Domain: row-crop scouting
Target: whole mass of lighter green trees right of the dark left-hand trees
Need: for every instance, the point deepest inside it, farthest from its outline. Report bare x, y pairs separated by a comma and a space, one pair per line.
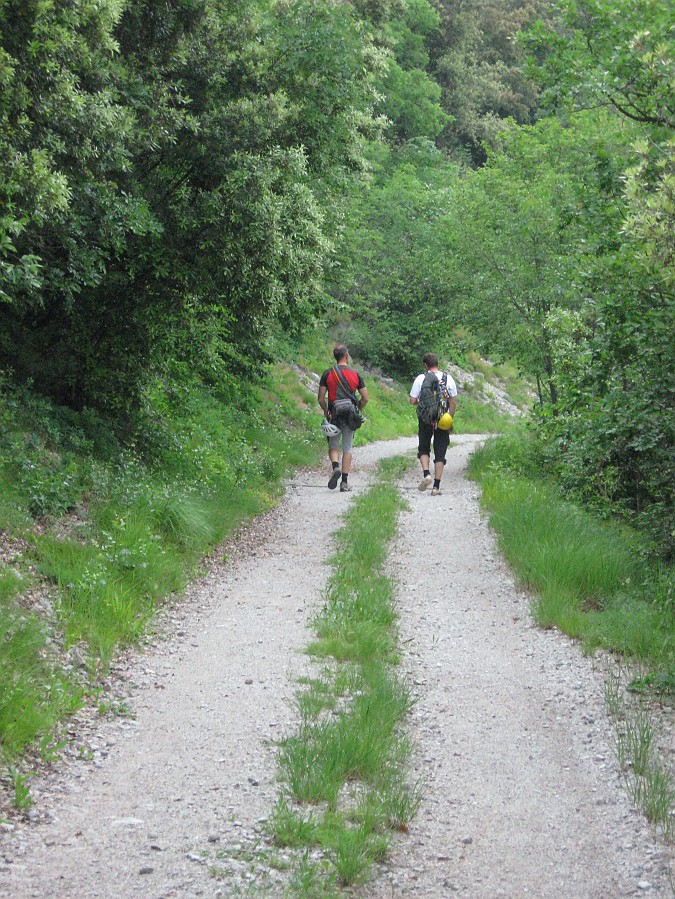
557, 252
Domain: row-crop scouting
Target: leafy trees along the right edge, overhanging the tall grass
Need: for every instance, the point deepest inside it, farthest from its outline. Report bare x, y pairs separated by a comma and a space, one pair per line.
616, 439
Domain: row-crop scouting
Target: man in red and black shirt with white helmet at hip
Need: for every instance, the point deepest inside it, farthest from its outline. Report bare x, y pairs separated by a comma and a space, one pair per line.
337, 397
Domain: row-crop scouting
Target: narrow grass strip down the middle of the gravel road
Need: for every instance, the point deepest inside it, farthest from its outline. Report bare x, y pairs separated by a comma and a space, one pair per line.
344, 773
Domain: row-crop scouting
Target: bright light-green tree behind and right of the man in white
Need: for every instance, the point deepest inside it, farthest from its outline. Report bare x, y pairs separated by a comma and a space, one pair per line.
516, 232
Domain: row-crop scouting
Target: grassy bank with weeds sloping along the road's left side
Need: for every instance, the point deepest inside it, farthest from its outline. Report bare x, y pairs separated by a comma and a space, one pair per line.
116, 529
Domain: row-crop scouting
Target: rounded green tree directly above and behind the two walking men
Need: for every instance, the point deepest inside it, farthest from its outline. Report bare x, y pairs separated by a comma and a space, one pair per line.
390, 271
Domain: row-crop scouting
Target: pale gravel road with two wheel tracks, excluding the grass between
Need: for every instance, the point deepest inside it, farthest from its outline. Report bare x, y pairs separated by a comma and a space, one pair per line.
522, 794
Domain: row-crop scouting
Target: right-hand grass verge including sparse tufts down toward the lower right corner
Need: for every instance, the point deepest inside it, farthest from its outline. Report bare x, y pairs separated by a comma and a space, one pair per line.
596, 581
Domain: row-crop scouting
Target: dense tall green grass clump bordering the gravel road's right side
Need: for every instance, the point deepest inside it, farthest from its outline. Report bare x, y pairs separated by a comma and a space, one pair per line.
591, 578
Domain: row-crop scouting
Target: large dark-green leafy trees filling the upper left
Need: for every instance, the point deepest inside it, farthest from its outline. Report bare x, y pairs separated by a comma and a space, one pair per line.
155, 180
